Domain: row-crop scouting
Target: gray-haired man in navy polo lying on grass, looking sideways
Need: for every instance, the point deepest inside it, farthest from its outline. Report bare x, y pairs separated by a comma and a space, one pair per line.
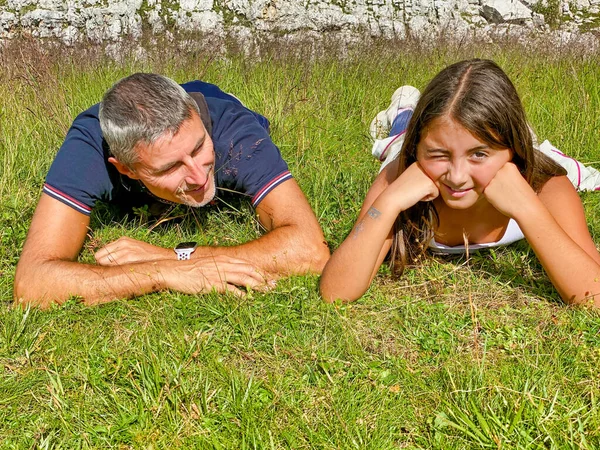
150, 139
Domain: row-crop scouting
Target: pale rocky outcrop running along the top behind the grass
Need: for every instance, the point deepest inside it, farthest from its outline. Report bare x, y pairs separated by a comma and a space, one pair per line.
102, 20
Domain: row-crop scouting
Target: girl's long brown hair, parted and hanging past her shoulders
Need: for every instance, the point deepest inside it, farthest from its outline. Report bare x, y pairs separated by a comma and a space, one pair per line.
478, 95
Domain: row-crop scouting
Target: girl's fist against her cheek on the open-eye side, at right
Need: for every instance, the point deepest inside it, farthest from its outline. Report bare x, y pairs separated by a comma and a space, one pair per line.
509, 192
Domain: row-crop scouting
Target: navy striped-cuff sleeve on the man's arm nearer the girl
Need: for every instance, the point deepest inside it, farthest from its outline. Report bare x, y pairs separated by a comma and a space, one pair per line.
247, 160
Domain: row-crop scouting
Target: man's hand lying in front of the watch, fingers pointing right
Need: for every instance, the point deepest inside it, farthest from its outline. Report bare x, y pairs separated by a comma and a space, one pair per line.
220, 273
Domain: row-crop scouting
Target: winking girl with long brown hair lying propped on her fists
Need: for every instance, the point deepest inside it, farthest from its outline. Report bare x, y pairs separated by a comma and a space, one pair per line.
467, 175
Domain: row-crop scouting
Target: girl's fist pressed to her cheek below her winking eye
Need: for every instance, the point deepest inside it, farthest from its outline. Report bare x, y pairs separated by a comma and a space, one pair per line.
411, 187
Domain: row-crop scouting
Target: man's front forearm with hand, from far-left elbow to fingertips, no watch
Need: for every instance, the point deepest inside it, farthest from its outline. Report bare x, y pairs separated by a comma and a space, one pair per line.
54, 281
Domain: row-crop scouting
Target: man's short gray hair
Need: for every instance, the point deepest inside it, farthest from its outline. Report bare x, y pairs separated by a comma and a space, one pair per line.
140, 109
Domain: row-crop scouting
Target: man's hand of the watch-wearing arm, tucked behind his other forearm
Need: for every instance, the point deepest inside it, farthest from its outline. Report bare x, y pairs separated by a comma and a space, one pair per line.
126, 250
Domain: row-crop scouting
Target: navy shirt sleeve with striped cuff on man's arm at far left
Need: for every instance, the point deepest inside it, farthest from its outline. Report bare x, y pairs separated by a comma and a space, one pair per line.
79, 175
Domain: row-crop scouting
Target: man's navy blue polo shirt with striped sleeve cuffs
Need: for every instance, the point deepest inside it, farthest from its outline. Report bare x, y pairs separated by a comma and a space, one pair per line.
246, 160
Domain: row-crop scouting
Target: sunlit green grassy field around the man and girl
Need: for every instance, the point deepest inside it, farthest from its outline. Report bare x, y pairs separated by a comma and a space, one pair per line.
477, 353
